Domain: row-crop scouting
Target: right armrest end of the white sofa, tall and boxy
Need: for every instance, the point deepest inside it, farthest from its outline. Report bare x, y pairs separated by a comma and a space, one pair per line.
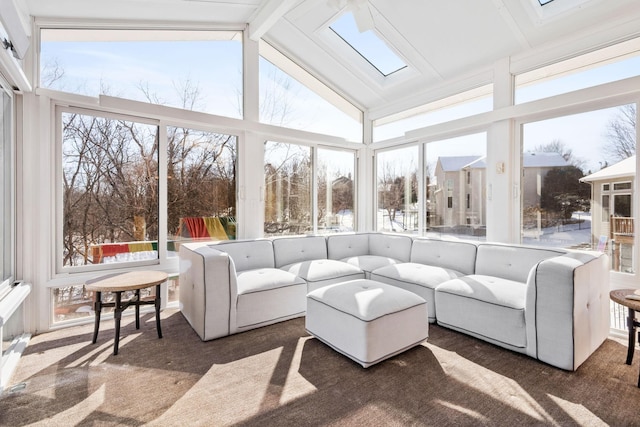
567, 308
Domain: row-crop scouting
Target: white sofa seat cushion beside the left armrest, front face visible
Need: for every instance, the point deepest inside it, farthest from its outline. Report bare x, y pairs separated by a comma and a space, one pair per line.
266, 295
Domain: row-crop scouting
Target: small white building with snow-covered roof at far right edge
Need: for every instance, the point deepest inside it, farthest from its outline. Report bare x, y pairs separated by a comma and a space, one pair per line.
611, 194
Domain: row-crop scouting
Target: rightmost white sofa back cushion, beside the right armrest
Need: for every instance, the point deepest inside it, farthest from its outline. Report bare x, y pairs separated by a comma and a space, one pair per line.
510, 261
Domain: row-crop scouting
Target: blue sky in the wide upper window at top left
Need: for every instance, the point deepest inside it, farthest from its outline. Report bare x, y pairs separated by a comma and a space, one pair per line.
164, 65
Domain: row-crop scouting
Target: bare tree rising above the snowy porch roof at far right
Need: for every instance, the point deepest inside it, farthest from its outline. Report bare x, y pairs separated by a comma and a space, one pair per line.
621, 135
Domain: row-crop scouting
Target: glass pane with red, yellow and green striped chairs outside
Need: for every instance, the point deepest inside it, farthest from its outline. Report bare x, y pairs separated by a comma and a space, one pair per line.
201, 186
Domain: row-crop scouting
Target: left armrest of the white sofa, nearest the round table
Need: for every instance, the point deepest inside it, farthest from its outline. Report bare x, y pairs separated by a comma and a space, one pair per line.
208, 290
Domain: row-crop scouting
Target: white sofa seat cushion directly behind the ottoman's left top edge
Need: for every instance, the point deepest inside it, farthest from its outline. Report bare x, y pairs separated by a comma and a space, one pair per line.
323, 272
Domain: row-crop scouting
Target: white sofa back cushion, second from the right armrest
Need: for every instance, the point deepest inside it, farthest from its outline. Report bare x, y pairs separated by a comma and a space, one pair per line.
458, 256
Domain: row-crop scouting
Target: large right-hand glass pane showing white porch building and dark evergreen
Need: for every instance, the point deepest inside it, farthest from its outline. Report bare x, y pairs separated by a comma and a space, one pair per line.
569, 159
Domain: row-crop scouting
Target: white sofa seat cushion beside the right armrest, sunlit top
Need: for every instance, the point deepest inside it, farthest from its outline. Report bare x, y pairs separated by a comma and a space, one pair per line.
489, 307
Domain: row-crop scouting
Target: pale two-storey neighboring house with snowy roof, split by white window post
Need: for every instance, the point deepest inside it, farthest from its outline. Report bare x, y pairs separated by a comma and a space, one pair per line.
460, 186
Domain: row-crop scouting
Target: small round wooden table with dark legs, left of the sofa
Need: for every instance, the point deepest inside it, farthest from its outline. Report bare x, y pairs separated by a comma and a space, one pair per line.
122, 282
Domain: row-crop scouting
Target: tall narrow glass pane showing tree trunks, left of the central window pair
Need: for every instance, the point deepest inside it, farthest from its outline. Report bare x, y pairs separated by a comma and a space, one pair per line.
287, 170
